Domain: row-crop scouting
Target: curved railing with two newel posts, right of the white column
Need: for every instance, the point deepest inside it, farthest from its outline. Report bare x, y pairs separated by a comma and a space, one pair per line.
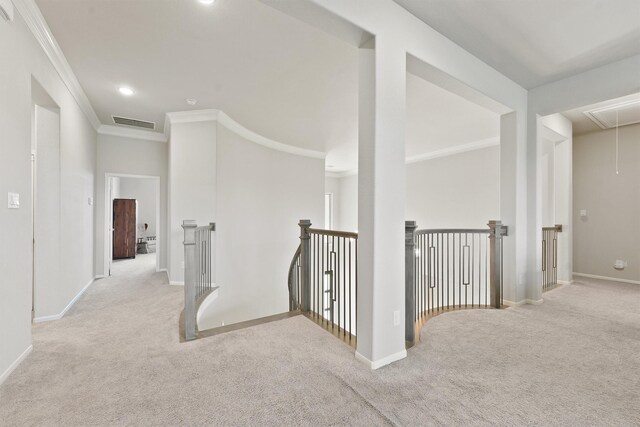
450, 269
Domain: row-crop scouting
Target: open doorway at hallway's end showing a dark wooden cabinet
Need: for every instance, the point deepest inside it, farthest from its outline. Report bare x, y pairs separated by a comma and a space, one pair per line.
132, 223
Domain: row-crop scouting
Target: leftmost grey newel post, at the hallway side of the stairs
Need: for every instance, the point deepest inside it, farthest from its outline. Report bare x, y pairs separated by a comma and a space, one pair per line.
190, 327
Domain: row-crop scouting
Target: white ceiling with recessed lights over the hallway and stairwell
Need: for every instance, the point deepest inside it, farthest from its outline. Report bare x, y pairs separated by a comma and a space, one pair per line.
274, 74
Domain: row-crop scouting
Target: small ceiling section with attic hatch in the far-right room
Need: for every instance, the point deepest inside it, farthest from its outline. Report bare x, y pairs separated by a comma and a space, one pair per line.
623, 111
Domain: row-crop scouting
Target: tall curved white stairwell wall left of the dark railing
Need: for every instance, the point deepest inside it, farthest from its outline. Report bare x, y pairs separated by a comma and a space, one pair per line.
261, 196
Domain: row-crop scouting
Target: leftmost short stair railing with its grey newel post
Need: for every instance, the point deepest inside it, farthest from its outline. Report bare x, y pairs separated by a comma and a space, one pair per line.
198, 277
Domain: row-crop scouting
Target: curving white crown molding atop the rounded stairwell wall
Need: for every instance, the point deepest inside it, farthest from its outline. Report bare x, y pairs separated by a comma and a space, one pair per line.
223, 119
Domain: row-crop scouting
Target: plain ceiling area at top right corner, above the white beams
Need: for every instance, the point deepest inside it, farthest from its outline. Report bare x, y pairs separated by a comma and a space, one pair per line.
534, 42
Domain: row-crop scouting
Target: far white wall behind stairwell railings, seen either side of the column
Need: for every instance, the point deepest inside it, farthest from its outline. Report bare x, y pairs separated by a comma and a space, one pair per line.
457, 191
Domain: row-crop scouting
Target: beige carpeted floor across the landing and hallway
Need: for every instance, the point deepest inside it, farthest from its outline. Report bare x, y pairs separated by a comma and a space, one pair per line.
115, 359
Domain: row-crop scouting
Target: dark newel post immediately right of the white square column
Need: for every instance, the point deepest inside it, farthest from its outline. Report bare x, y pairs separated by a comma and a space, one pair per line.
409, 282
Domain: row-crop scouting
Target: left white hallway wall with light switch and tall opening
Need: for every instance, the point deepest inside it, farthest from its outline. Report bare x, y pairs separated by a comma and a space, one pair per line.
22, 58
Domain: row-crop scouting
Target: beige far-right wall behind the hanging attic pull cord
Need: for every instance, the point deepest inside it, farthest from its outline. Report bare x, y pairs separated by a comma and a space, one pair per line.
611, 229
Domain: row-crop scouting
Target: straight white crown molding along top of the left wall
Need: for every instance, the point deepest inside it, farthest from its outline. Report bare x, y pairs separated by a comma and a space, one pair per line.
41, 31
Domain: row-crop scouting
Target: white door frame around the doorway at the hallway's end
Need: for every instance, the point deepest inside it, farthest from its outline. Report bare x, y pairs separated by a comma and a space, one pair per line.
108, 218
